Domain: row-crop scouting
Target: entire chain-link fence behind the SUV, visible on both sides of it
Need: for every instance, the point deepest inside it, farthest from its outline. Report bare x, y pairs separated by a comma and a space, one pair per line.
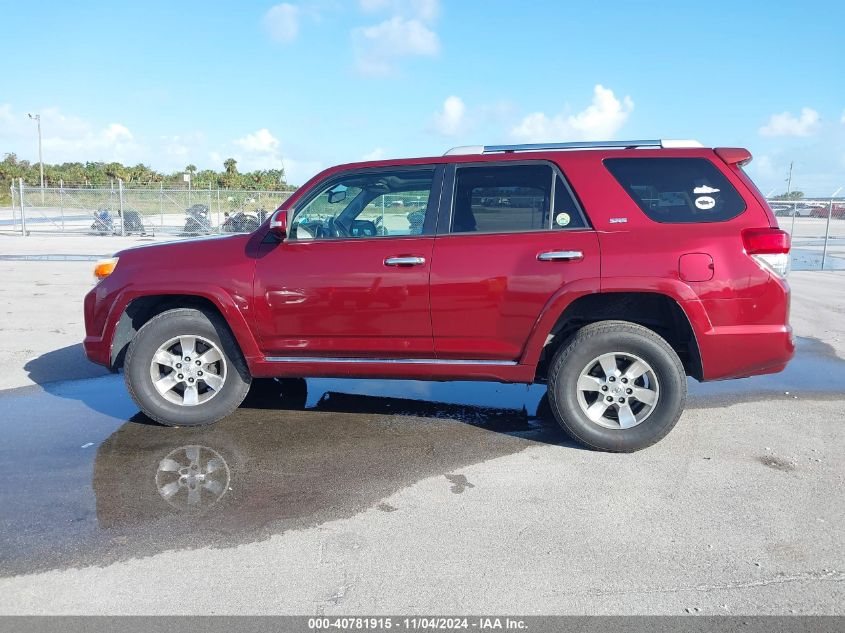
817, 225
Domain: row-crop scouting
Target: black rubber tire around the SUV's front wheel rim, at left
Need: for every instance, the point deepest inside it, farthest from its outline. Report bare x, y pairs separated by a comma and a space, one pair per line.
185, 322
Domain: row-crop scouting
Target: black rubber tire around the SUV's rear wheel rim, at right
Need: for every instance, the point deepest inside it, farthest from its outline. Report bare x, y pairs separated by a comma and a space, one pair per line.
622, 337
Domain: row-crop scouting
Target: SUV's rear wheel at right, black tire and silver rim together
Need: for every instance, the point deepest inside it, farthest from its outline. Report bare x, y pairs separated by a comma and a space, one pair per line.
617, 386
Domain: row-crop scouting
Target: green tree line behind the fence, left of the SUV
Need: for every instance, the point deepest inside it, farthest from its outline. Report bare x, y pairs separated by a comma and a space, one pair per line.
99, 174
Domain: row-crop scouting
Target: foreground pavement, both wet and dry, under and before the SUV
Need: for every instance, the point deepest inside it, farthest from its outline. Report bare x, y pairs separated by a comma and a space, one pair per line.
403, 497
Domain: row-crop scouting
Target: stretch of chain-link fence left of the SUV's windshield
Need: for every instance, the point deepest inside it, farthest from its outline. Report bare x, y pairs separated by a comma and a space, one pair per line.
118, 210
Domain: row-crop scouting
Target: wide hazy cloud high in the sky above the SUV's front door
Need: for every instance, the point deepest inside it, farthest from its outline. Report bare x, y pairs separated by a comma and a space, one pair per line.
378, 47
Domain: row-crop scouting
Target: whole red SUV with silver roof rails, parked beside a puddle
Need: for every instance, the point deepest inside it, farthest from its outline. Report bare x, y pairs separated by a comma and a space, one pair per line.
609, 270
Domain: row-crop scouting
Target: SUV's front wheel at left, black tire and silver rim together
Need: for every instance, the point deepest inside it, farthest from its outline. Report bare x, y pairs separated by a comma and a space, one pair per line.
184, 368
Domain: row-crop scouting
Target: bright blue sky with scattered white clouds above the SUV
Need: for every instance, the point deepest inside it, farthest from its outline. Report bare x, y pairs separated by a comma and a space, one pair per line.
306, 84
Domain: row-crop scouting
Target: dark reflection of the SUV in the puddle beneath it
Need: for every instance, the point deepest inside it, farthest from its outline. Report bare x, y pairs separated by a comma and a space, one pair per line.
274, 466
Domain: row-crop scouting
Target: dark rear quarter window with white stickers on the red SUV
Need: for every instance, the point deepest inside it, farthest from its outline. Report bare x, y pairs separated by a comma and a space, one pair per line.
677, 190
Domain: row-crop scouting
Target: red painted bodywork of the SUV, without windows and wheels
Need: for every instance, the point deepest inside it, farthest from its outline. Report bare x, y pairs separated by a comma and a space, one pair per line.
479, 297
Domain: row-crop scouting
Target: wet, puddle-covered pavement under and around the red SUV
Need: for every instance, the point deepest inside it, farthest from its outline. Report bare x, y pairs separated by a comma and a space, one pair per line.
88, 481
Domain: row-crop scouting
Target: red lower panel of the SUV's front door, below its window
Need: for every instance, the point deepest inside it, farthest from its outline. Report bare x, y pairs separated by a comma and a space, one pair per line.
337, 298
